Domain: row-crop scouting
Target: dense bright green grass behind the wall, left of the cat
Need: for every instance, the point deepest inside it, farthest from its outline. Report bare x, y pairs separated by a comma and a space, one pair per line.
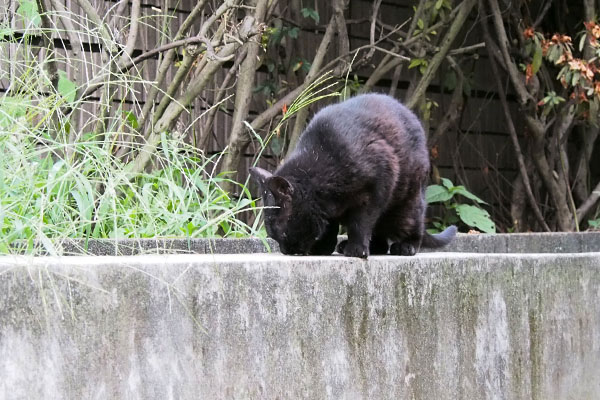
44, 195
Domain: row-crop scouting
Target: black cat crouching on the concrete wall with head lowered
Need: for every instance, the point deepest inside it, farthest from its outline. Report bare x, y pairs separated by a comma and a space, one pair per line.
362, 163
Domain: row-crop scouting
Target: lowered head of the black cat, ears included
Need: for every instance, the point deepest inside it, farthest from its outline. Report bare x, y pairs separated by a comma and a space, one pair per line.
290, 219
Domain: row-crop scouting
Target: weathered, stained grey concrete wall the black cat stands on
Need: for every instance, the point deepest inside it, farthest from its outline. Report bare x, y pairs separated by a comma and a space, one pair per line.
257, 326
